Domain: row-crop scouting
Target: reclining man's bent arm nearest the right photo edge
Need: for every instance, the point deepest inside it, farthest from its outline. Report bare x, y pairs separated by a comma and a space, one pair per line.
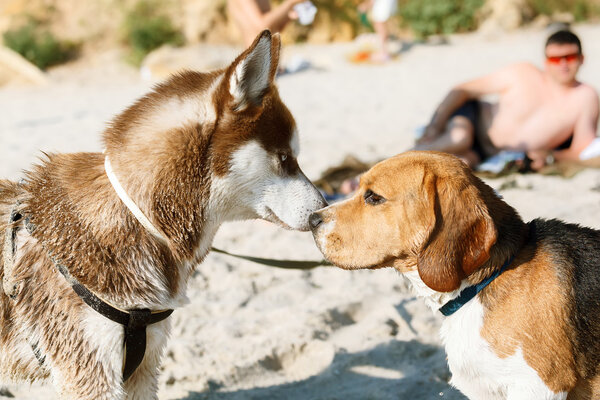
585, 127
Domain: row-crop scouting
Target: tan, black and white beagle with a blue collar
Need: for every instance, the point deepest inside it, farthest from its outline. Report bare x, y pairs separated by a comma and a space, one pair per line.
521, 300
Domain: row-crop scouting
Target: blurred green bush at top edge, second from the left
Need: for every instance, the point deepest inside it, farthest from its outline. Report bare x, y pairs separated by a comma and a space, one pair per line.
146, 29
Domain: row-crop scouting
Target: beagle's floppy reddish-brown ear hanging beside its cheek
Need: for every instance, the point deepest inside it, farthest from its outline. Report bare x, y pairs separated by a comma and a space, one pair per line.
460, 238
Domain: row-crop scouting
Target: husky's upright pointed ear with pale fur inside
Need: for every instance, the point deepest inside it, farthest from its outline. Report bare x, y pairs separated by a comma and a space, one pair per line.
253, 72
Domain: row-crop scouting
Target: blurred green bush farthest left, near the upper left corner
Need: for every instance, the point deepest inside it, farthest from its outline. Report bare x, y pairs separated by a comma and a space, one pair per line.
38, 45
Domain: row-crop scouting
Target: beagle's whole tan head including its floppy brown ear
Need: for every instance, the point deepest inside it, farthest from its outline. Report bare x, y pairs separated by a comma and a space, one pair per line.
421, 210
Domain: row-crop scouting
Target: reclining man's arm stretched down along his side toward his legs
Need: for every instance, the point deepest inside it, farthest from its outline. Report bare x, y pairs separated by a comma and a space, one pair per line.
494, 83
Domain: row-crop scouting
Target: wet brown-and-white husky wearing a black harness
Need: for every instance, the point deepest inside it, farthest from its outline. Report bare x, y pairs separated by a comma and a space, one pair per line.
131, 224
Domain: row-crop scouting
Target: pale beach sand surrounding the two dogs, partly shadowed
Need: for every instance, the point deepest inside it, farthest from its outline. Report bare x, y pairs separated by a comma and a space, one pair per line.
253, 332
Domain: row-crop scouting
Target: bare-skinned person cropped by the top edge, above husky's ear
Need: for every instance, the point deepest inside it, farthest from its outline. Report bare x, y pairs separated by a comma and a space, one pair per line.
253, 16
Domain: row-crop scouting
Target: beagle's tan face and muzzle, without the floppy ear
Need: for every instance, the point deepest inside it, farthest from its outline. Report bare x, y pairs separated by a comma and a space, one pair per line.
385, 220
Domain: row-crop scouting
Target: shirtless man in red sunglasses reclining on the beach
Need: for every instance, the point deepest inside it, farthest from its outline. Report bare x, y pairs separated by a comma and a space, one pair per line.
548, 114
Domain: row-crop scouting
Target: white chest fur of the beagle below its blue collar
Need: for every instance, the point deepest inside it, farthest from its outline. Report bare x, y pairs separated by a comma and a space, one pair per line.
478, 372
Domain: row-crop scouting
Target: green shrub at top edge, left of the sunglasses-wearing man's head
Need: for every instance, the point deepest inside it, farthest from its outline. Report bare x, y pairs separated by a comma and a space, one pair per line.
431, 17
